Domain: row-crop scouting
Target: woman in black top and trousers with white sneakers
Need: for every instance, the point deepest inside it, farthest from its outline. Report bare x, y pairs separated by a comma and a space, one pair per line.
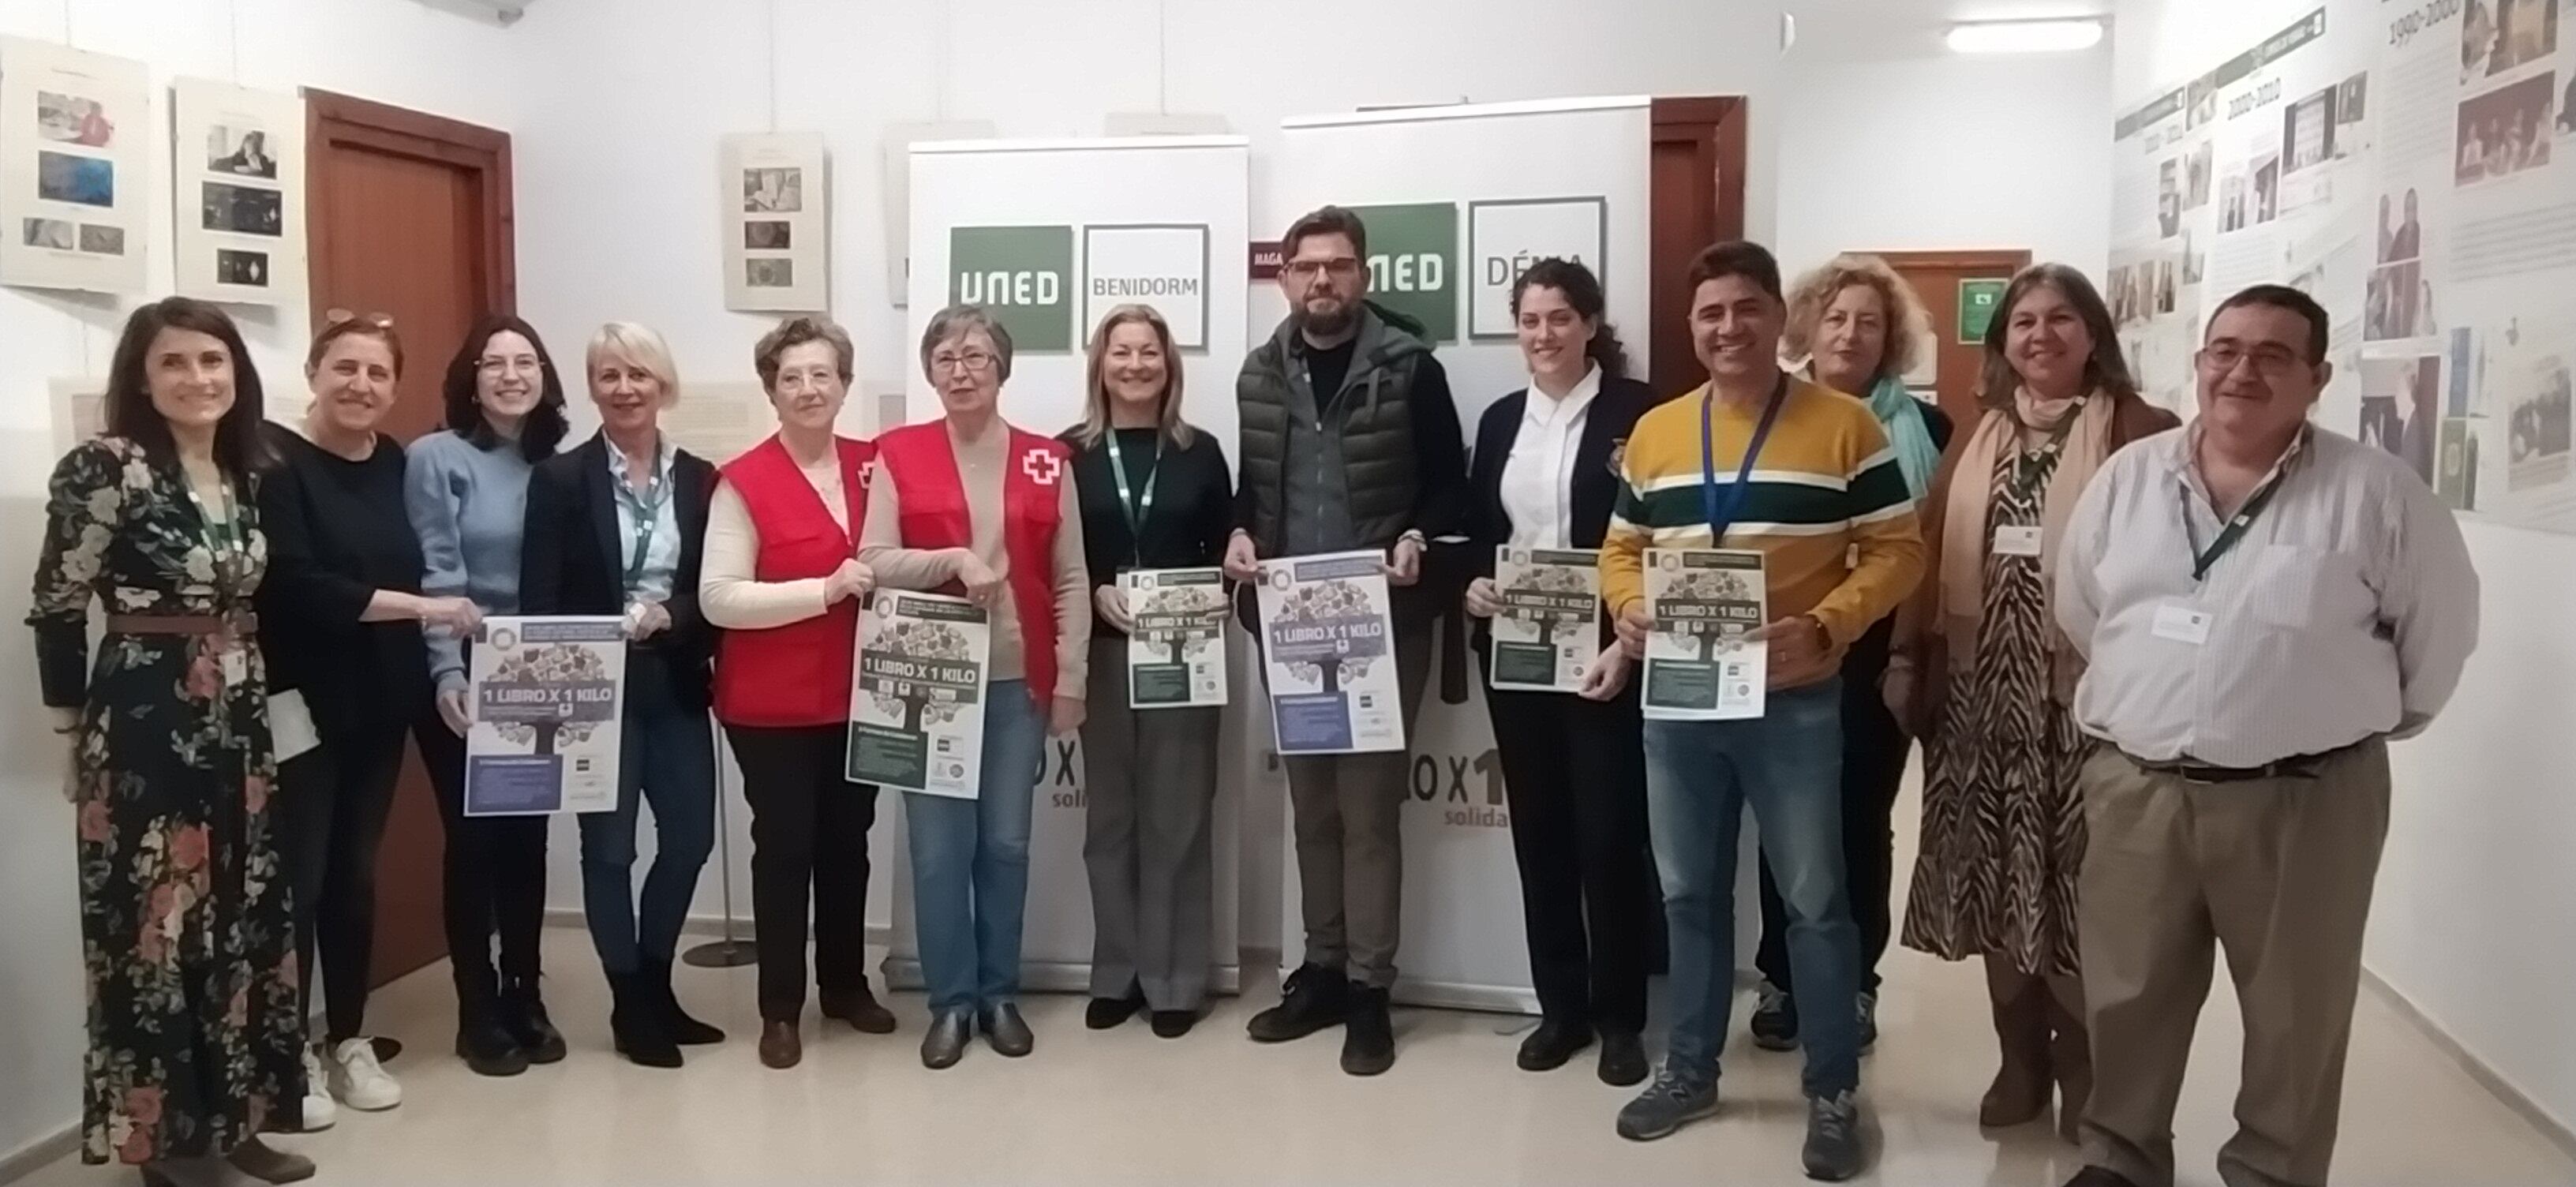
341, 617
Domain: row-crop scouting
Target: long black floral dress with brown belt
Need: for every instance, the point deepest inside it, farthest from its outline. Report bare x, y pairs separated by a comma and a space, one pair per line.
184, 910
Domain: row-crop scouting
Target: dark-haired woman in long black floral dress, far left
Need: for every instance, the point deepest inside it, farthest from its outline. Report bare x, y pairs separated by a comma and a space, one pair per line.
184, 915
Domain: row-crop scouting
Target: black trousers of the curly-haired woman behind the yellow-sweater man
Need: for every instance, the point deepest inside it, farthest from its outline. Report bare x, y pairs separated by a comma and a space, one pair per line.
1874, 769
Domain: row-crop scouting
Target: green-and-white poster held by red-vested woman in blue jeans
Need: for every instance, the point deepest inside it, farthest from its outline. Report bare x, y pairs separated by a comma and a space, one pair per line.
918, 694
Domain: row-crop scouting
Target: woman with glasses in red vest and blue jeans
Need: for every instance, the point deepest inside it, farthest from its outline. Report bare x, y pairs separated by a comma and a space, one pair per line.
980, 509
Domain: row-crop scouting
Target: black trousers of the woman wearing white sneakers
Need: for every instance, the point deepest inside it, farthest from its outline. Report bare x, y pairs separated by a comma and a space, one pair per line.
334, 805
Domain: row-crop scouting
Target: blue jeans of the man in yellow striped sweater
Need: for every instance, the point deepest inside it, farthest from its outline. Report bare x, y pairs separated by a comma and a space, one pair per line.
1699, 781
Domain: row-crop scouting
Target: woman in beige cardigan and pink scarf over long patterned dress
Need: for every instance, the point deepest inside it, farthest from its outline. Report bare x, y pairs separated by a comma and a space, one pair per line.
1987, 681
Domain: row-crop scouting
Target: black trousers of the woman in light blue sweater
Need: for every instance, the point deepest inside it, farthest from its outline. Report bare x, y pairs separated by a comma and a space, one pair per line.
496, 877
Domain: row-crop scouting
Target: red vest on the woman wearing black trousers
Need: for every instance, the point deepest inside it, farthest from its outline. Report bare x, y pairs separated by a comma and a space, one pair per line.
800, 673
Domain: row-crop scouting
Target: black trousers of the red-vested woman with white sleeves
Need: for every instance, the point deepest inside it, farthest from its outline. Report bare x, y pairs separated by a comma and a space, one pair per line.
810, 836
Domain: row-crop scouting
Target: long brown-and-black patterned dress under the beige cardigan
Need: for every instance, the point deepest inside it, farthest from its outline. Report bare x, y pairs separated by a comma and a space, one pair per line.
2003, 825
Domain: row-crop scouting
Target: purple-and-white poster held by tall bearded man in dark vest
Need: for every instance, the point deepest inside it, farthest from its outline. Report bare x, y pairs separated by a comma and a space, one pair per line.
1328, 648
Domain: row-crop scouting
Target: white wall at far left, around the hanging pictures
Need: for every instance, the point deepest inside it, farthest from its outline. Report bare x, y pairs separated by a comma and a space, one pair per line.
398, 53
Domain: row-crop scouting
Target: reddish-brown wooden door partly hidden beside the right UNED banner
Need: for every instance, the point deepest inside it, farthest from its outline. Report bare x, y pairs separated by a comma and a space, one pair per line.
1696, 197
